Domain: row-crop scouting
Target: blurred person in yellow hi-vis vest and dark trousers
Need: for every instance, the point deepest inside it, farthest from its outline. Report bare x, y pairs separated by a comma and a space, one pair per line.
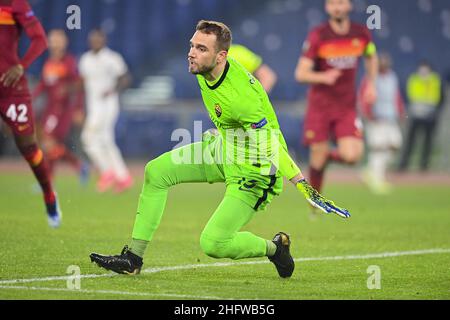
425, 101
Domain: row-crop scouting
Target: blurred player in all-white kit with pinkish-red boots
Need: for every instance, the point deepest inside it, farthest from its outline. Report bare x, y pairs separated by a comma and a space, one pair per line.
105, 74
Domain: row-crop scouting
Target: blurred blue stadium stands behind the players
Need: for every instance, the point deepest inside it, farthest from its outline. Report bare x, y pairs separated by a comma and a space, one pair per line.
153, 37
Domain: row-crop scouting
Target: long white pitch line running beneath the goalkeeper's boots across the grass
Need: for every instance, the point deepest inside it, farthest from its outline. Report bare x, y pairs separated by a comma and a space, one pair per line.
232, 264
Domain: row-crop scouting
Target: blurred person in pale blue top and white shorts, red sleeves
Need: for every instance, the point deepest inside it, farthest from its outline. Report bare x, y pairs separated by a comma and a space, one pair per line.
383, 132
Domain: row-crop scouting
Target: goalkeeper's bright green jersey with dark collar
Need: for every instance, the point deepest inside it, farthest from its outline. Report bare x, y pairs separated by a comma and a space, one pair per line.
242, 112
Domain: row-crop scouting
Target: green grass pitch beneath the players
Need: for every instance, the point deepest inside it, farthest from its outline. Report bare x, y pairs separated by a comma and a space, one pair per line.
412, 218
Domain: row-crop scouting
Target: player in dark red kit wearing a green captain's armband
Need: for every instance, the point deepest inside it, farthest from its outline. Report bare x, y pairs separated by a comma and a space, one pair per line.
329, 63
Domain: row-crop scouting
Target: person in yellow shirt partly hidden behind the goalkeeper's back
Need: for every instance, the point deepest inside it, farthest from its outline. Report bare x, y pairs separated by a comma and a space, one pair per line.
254, 64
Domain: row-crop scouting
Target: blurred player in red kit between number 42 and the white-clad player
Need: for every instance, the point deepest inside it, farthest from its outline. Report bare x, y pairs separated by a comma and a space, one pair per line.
62, 86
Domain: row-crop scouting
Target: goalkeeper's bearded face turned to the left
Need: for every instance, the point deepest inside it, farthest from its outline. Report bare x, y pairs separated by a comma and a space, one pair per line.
203, 55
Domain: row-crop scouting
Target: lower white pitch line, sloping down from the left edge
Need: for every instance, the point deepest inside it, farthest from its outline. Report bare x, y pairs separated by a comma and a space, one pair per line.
123, 293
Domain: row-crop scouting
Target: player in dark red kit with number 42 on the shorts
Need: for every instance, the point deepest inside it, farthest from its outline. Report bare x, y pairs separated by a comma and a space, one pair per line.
15, 100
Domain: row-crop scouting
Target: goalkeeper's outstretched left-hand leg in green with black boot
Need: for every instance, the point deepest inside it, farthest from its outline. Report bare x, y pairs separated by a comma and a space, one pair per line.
175, 167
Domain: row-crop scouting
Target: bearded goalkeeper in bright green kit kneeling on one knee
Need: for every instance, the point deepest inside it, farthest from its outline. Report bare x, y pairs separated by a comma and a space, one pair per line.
247, 152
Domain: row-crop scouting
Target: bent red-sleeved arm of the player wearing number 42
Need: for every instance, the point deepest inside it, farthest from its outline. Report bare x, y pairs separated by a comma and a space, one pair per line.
25, 18
